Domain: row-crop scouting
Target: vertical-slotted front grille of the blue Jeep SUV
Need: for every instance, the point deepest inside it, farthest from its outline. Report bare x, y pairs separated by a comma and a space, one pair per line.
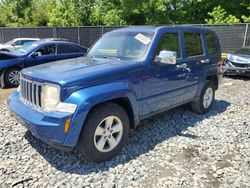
31, 92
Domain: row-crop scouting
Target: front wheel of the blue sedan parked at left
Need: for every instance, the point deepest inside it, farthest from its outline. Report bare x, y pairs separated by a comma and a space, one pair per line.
12, 77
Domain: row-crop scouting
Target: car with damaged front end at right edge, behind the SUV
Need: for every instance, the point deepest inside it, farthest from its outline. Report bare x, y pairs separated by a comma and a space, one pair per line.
238, 62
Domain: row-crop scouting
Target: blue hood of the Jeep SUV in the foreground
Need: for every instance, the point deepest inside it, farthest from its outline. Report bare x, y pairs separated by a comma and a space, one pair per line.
80, 72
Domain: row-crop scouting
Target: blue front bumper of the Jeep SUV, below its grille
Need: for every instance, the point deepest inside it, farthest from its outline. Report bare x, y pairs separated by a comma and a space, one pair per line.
48, 127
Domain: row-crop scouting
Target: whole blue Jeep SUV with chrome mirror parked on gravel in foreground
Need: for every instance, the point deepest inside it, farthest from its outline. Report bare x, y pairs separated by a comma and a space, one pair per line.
128, 75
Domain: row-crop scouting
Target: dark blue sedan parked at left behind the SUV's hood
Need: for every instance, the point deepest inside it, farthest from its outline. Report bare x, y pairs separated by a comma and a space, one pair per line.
32, 54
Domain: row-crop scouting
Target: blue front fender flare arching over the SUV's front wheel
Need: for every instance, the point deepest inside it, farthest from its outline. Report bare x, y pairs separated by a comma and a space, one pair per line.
89, 97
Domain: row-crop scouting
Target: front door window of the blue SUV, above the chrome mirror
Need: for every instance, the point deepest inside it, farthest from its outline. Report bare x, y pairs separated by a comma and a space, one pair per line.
169, 42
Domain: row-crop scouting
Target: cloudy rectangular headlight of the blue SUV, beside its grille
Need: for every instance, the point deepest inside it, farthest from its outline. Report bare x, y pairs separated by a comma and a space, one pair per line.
50, 97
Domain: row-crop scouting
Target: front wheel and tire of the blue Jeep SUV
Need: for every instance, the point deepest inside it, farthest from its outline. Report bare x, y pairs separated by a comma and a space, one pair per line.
104, 133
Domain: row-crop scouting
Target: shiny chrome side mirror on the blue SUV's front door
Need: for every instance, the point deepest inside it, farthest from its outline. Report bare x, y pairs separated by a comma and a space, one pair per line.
166, 57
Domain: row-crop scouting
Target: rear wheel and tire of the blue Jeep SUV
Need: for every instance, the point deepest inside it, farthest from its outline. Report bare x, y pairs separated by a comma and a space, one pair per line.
201, 106
